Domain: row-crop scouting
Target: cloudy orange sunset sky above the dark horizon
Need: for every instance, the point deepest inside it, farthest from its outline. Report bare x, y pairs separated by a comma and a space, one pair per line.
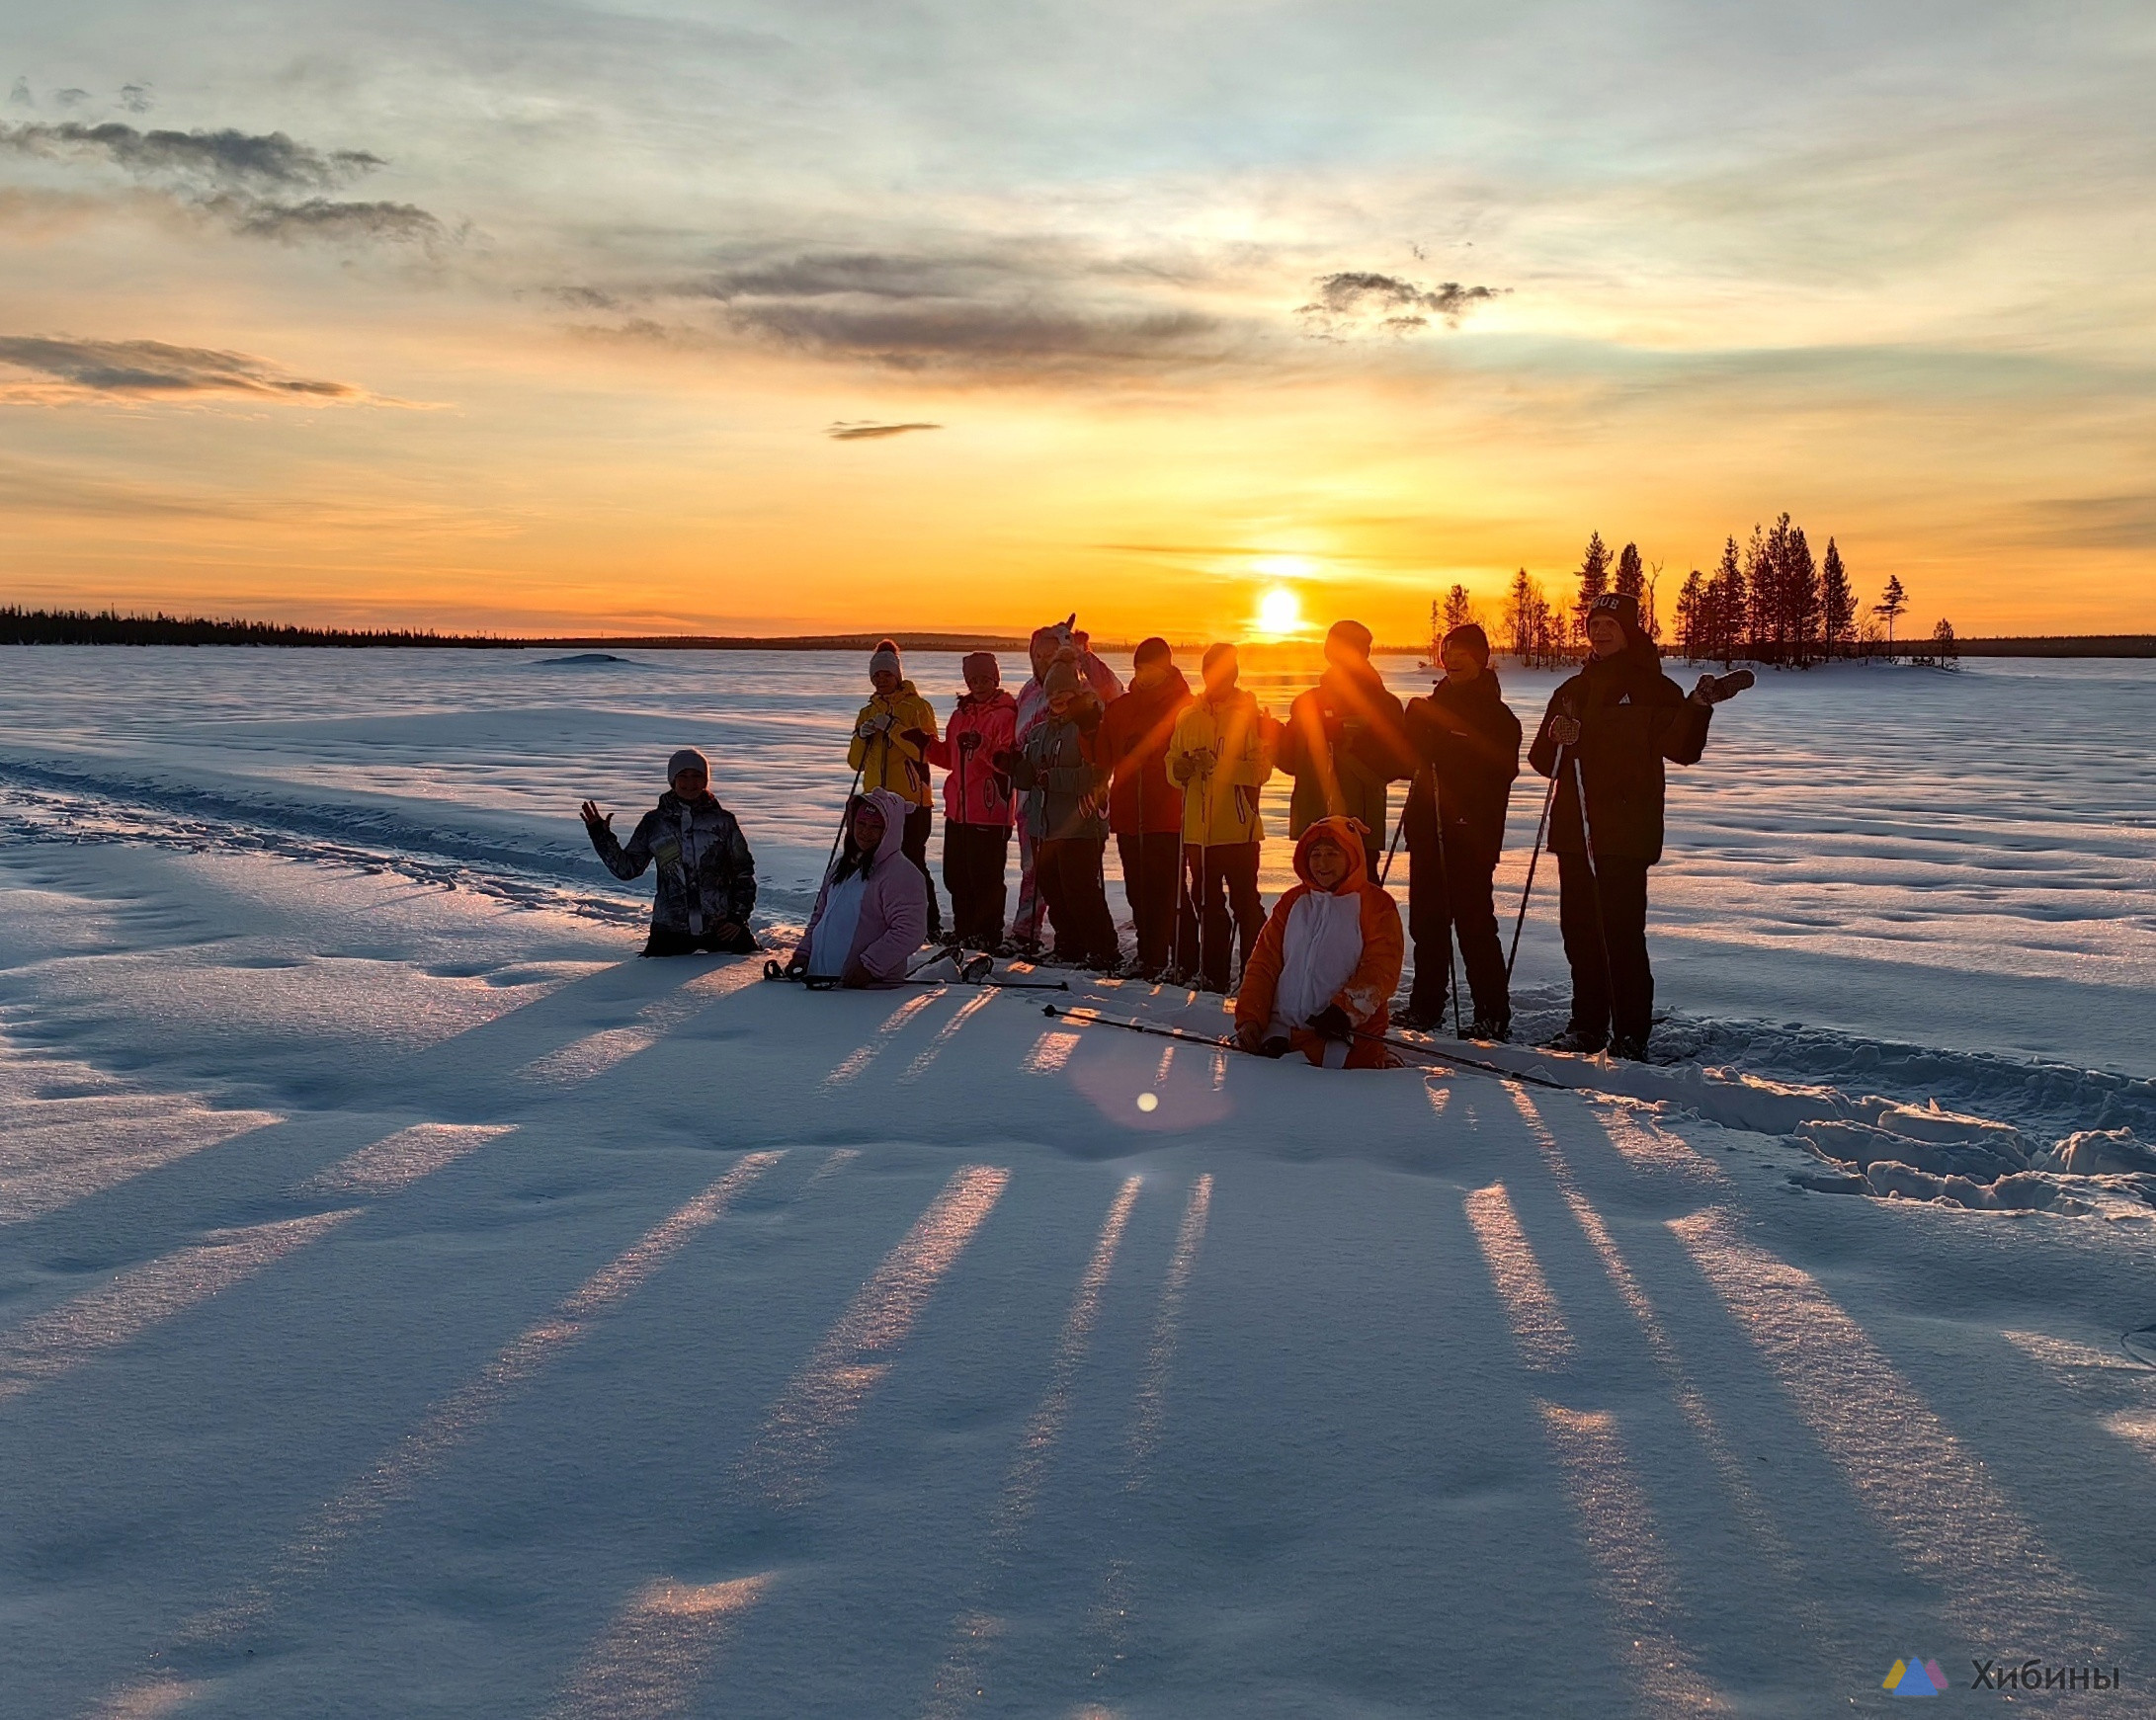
971, 314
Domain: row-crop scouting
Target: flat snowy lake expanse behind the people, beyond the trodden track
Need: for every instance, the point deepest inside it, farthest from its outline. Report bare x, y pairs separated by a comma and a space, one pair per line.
1961, 861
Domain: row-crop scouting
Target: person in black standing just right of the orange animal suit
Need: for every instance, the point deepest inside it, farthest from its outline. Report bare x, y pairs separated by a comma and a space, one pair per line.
1469, 745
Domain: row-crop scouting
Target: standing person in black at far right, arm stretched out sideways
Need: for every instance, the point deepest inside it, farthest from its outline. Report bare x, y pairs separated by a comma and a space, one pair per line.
1614, 725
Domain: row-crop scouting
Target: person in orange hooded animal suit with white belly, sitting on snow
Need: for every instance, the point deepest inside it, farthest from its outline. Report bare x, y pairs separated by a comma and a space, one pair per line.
1327, 962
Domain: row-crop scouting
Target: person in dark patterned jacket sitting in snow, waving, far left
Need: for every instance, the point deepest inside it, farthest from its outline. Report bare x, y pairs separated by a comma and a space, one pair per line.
708, 878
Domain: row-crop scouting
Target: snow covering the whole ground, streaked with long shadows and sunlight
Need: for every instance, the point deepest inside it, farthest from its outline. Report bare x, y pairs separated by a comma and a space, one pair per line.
415, 1307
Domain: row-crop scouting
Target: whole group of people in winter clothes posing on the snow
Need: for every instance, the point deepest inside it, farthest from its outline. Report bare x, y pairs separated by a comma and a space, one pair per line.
1176, 777
